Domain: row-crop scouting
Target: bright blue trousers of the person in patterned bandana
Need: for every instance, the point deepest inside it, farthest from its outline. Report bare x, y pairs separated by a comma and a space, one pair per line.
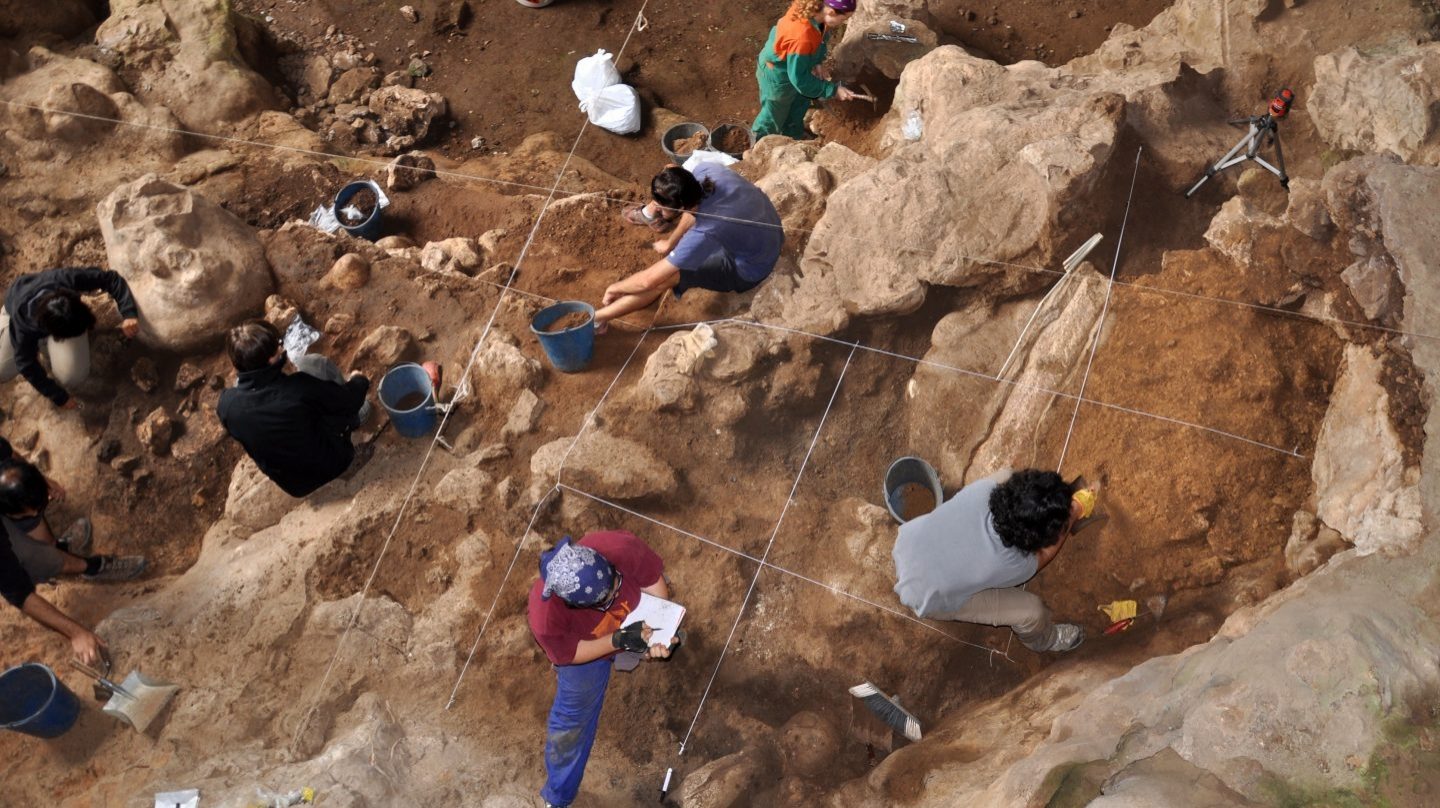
575, 715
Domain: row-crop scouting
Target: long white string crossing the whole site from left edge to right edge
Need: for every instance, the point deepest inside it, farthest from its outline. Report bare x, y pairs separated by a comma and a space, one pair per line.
836, 234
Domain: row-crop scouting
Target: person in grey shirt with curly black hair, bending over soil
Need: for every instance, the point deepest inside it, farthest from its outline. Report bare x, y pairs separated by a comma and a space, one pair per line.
967, 560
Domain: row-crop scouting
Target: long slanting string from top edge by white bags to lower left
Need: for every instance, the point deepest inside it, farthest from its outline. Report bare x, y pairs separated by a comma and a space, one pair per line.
430, 452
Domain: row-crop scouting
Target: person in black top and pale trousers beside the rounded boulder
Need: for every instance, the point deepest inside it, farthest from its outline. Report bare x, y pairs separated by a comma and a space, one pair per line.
45, 313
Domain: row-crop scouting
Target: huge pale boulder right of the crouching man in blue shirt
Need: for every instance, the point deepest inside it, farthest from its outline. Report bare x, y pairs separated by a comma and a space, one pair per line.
1004, 158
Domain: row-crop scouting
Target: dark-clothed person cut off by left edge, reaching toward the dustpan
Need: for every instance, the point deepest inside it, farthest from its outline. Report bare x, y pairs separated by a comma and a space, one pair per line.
31, 554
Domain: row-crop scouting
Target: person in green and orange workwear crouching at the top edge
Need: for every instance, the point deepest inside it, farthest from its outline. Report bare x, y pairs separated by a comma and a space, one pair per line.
790, 70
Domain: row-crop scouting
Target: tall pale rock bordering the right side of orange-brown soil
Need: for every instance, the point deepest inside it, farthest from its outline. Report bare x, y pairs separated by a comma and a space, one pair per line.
1363, 486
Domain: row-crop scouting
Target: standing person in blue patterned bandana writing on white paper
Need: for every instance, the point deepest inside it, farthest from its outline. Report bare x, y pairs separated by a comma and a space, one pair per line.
585, 591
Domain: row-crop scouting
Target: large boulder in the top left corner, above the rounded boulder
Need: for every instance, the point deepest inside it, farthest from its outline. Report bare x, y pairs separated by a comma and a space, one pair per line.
191, 54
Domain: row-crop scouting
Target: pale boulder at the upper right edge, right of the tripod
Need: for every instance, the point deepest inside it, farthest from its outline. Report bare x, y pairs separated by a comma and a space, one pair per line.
1380, 100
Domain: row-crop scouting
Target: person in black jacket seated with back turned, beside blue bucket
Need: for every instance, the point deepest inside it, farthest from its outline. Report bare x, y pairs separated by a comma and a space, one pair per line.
296, 427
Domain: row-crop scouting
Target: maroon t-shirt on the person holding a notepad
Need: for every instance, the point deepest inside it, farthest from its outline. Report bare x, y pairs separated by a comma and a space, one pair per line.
561, 629
